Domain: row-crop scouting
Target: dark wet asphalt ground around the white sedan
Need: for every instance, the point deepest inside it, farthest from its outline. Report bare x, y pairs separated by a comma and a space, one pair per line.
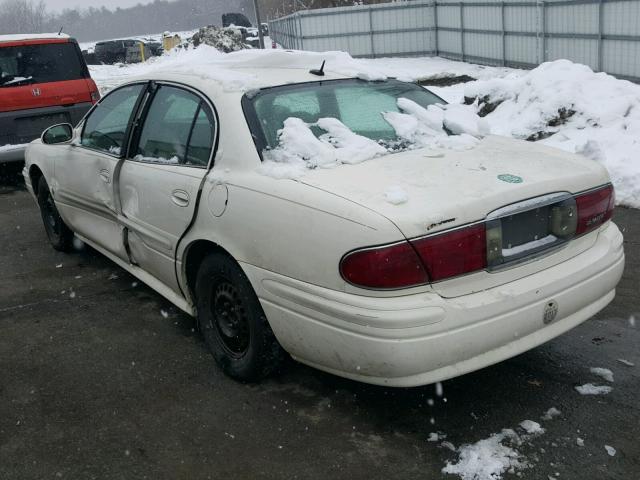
98, 384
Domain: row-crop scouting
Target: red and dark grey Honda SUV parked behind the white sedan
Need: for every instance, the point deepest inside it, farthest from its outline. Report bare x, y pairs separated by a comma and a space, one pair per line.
43, 81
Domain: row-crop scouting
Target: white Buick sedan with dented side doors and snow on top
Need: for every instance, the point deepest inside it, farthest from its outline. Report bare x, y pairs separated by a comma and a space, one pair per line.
364, 227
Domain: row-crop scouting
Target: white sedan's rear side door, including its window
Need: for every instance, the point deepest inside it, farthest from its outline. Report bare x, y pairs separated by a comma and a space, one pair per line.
160, 181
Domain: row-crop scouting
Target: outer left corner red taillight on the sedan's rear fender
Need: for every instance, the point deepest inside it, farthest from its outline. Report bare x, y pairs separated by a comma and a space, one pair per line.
395, 266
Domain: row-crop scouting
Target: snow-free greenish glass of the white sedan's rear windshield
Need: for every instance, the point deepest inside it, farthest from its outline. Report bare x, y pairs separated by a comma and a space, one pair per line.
360, 105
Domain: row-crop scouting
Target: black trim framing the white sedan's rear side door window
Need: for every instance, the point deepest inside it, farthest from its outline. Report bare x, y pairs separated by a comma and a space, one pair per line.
203, 98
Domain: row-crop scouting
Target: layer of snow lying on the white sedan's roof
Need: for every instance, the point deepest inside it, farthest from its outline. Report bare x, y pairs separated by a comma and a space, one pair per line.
251, 69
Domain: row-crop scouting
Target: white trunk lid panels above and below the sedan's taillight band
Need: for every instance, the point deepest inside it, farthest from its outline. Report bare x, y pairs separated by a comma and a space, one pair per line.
447, 189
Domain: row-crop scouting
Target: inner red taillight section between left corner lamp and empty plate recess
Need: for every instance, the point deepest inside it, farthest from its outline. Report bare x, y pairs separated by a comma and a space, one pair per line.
454, 253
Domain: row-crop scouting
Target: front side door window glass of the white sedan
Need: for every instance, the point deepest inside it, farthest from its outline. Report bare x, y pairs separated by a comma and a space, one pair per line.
106, 127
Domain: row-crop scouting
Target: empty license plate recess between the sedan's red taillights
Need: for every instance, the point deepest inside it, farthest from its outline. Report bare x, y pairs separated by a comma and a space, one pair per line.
526, 230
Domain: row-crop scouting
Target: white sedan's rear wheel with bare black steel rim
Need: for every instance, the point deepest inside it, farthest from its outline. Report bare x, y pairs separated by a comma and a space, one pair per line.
232, 321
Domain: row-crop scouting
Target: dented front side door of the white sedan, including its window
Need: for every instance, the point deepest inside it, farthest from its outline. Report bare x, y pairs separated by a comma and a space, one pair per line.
86, 171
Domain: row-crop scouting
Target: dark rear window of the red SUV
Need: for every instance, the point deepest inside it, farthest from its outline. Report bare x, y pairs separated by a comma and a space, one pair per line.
27, 64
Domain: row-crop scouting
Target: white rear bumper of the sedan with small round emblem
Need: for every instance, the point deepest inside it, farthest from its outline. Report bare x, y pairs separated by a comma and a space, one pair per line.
424, 338
